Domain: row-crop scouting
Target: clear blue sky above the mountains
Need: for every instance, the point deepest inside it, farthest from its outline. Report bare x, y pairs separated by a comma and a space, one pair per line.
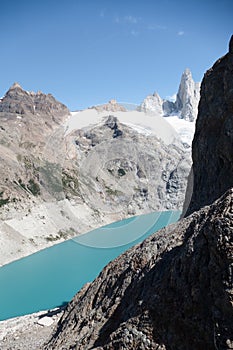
86, 52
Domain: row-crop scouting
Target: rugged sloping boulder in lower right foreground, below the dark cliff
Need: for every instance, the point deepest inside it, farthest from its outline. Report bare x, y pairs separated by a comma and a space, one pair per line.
174, 291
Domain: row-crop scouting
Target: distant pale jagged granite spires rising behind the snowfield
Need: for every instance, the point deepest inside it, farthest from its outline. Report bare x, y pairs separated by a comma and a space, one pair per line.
186, 103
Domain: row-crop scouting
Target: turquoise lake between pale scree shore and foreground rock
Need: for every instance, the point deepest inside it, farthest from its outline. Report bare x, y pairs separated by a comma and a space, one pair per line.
51, 277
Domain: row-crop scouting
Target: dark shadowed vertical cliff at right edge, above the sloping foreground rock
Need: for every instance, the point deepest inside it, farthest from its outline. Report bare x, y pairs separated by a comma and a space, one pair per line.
212, 148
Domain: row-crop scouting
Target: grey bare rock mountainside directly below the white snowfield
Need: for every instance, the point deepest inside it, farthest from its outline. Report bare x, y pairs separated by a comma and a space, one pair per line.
123, 171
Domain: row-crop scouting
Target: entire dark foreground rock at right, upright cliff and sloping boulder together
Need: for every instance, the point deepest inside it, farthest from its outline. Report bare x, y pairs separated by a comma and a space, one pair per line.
173, 291
